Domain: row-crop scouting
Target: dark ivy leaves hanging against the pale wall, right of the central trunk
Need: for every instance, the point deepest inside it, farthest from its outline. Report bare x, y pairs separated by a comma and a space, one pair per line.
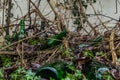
76, 11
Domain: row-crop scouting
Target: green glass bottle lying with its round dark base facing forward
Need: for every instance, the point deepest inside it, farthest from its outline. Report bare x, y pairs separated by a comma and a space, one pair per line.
55, 70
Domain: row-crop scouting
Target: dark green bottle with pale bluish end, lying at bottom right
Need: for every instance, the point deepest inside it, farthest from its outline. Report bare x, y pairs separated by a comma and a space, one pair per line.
95, 70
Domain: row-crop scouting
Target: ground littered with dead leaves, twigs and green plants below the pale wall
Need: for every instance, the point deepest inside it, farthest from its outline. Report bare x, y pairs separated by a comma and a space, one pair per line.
93, 57
